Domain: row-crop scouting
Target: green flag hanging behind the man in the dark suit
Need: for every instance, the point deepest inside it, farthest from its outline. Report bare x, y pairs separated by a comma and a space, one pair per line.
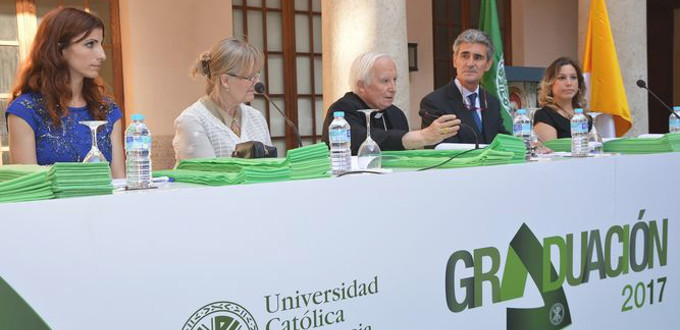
494, 80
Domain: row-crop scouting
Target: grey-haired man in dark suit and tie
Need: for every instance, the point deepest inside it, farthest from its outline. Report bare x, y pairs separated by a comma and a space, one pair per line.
478, 110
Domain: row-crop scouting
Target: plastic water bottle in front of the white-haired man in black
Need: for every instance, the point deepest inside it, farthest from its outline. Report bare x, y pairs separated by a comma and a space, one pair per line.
339, 135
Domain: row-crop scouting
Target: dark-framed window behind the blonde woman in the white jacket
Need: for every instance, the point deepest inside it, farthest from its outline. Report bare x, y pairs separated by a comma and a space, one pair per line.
289, 33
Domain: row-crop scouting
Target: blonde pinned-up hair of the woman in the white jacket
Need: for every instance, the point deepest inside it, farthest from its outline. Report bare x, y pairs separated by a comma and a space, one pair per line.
234, 56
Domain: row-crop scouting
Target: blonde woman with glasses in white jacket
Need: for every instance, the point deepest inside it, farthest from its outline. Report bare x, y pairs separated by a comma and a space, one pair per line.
219, 120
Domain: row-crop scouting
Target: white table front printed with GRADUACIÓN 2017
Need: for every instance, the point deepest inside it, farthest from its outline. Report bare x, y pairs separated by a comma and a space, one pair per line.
441, 249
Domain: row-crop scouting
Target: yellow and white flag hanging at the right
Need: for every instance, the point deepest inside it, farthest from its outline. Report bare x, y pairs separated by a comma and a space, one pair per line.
603, 75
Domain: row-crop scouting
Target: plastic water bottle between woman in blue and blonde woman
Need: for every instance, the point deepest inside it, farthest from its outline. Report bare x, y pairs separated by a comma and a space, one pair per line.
138, 154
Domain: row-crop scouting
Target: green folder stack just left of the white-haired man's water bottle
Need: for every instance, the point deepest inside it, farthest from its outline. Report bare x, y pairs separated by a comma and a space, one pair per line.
310, 162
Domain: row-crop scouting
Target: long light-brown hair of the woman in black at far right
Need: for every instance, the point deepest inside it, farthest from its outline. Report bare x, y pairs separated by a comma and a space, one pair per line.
545, 97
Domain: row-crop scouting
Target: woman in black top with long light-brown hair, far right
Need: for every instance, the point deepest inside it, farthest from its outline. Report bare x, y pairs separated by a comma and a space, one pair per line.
562, 90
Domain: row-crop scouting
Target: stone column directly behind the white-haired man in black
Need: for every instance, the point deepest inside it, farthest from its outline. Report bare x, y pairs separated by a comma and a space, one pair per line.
352, 27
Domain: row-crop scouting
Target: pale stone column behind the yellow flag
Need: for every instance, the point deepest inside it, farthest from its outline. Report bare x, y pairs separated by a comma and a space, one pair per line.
628, 19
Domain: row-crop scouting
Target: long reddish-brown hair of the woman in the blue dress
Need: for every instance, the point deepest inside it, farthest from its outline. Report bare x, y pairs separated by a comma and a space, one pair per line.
46, 72
